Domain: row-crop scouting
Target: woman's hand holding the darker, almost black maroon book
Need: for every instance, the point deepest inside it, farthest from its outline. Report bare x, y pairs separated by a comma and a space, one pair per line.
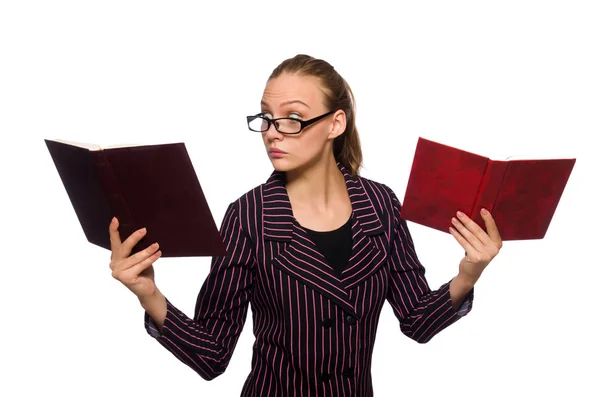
135, 271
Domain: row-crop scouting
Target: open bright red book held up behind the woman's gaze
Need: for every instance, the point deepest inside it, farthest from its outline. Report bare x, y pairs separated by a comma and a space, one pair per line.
522, 195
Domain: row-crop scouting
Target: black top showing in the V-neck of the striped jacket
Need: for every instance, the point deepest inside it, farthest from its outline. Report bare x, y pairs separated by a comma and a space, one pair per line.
335, 245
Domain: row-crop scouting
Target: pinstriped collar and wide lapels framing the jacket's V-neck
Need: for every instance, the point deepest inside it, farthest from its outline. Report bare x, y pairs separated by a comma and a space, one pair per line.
300, 257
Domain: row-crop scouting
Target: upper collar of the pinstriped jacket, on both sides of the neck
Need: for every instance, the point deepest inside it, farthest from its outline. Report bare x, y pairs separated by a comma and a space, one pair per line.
277, 210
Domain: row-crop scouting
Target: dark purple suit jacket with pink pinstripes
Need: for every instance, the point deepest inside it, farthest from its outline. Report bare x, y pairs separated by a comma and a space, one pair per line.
314, 331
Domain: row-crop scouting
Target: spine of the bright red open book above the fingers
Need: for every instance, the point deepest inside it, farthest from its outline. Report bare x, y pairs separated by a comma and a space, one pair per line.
488, 190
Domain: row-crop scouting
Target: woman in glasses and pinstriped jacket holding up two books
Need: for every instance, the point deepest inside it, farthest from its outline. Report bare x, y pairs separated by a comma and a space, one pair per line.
316, 250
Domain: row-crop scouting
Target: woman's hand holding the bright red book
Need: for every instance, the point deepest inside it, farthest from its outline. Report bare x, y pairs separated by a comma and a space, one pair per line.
480, 247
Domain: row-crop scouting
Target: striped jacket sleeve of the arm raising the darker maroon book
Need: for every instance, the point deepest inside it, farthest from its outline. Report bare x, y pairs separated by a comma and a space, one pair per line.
206, 343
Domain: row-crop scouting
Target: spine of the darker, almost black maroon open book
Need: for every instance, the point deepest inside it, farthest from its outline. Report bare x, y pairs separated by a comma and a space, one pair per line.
118, 205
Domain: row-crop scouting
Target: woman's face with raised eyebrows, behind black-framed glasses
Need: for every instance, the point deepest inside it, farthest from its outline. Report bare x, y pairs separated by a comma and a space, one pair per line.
299, 97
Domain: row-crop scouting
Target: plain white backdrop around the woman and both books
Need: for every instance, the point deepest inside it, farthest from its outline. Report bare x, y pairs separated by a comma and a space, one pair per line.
496, 78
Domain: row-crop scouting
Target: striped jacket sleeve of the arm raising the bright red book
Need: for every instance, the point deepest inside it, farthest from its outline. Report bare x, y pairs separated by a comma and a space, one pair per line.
422, 312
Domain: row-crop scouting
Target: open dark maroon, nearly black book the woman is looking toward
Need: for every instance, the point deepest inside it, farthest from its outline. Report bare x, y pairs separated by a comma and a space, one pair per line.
152, 186
